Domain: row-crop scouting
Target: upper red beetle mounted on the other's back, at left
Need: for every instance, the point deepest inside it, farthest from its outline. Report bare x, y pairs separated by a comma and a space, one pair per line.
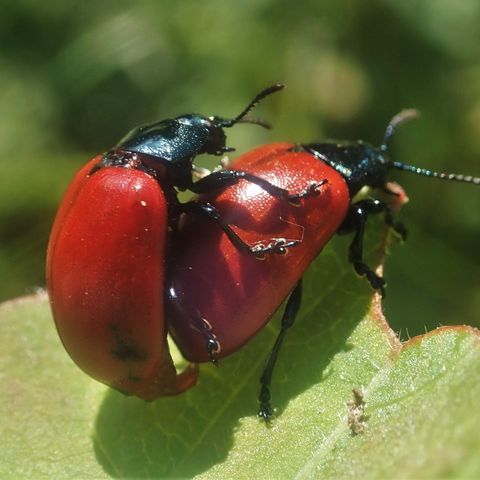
107, 256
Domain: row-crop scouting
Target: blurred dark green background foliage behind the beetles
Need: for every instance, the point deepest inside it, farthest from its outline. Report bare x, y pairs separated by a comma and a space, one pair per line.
75, 76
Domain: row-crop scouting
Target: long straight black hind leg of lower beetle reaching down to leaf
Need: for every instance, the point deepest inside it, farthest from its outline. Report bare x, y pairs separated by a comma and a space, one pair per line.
293, 305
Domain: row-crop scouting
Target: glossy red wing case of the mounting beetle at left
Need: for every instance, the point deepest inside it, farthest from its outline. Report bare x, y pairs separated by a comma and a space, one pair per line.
105, 277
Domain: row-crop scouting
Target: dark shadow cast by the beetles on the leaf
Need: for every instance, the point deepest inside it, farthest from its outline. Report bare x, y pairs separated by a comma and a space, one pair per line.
186, 435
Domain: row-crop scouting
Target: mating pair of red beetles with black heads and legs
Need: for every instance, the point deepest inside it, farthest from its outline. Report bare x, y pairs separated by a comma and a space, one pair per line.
124, 262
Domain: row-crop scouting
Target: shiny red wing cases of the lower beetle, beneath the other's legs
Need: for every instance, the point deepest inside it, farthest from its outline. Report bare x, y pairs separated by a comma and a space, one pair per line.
216, 288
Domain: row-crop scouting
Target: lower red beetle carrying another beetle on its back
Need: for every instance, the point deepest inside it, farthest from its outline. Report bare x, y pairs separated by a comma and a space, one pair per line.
218, 297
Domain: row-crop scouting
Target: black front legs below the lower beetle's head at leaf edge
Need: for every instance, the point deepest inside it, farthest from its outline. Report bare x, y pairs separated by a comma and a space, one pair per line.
355, 221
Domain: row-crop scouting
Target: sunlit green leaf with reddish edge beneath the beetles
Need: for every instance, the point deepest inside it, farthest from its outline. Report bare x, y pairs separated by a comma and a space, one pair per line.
420, 415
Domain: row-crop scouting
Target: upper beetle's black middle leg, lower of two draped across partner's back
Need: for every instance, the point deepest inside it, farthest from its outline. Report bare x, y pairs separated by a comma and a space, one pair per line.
276, 245
